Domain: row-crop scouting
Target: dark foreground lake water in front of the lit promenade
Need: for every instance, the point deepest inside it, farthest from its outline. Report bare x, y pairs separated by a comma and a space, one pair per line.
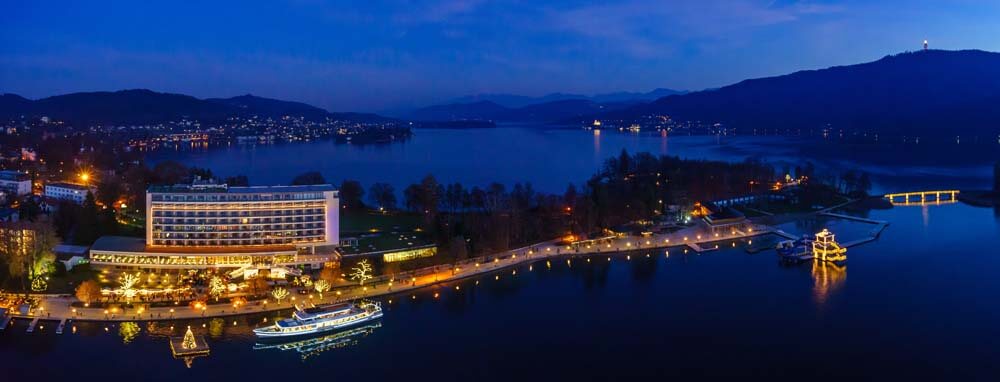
919, 303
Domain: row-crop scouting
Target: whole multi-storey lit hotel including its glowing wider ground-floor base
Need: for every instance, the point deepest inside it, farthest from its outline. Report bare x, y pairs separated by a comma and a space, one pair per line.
241, 229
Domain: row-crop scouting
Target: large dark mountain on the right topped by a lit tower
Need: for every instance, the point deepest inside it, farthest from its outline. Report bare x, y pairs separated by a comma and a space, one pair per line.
923, 93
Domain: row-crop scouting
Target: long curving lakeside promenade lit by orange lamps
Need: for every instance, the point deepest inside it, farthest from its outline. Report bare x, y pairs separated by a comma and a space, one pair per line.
60, 308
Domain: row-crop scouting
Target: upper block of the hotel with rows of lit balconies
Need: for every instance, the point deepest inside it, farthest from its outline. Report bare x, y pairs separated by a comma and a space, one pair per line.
220, 216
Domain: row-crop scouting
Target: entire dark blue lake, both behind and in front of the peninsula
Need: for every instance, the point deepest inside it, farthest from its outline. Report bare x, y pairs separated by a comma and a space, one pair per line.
918, 303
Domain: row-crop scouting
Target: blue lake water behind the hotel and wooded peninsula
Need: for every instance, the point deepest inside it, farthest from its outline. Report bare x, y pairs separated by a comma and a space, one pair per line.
552, 158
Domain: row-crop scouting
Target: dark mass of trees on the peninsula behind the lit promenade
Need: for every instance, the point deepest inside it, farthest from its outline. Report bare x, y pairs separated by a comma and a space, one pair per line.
476, 220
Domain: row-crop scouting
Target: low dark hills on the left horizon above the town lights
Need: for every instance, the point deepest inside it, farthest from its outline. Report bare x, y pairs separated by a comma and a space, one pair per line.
141, 106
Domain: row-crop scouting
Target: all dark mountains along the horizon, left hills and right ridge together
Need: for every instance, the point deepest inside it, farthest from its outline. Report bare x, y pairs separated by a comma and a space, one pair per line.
924, 93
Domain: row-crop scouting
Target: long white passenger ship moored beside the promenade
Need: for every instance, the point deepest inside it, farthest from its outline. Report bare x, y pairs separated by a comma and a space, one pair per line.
321, 319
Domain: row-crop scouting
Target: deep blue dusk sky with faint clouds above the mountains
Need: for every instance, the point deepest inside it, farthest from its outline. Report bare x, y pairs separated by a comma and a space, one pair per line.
377, 55
